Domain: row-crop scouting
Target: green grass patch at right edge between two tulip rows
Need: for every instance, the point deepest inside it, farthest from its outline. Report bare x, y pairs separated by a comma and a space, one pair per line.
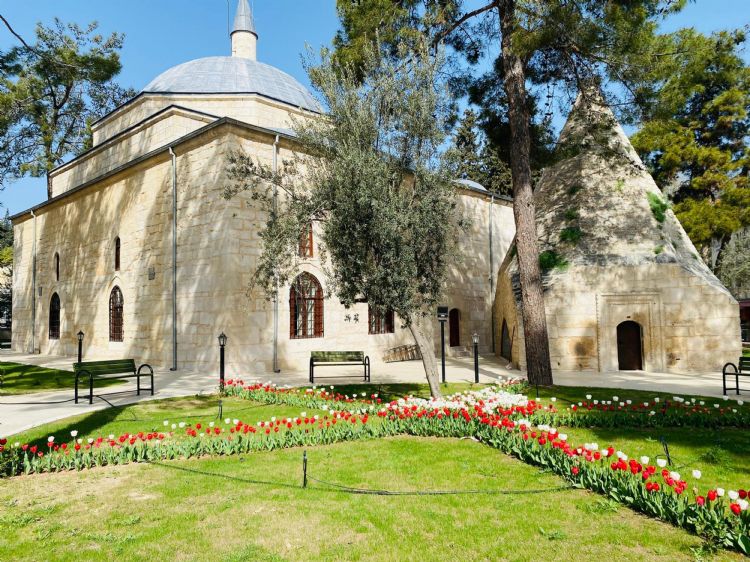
722, 456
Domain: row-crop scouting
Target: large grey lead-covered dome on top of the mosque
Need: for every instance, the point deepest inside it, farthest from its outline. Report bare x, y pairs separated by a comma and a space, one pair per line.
232, 75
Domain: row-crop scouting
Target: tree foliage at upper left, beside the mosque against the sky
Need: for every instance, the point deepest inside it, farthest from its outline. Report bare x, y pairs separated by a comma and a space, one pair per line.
51, 92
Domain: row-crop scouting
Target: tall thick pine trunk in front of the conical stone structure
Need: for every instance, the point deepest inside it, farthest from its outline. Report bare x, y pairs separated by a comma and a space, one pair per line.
532, 297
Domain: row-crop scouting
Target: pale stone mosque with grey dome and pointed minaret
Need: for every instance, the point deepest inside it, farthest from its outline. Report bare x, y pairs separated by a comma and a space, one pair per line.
137, 248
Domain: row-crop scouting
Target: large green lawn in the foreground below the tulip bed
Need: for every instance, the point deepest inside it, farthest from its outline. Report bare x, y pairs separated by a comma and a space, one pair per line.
218, 509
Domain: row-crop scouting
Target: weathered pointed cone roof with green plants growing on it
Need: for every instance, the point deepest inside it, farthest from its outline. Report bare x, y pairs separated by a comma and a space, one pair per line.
599, 185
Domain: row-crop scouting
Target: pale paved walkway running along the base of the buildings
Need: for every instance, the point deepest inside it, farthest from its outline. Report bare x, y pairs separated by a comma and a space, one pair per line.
21, 412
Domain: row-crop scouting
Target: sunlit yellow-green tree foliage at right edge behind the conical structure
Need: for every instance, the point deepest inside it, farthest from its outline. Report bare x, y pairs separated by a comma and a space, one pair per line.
695, 130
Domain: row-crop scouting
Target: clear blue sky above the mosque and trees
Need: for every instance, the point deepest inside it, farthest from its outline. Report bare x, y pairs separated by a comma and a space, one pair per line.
163, 33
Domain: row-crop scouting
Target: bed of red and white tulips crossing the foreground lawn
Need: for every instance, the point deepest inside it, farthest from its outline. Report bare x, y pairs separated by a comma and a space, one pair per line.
494, 416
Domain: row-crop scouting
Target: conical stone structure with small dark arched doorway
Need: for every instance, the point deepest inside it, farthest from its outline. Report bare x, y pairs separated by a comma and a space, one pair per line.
625, 288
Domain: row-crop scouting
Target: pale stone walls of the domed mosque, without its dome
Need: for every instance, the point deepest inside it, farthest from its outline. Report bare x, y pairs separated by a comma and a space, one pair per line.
217, 247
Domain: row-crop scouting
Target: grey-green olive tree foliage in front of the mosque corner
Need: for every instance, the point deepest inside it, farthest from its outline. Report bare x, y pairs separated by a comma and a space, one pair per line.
373, 181
